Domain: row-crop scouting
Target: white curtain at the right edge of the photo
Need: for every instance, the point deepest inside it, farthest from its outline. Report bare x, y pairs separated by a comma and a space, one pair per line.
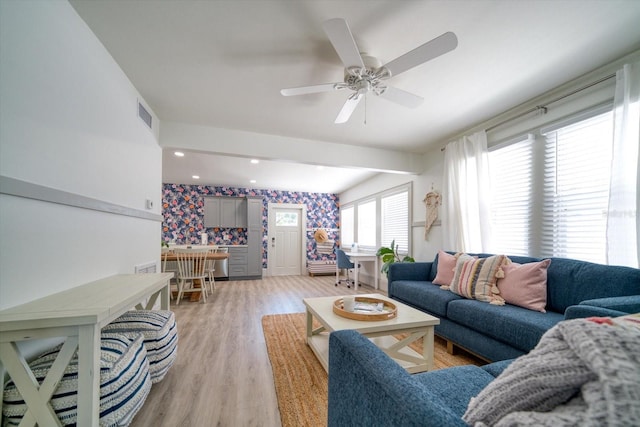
622, 218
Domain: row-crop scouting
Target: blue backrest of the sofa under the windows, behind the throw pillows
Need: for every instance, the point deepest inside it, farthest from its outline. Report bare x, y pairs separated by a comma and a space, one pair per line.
571, 281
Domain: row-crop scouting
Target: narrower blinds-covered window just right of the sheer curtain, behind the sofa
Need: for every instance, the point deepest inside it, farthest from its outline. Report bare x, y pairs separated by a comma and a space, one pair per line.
512, 206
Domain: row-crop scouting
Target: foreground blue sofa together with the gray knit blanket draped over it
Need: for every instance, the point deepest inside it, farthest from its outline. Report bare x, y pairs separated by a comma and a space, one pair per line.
581, 373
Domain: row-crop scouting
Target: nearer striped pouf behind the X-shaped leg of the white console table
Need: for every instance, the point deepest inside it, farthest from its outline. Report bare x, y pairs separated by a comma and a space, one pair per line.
124, 383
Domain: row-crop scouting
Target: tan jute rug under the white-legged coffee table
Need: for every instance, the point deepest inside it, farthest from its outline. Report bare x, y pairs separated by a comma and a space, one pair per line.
301, 382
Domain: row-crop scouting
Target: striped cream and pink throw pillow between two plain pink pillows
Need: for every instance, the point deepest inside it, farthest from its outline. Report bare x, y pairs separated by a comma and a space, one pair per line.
476, 278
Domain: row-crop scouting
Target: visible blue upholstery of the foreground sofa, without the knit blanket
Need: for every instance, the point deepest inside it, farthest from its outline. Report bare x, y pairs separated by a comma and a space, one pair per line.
367, 388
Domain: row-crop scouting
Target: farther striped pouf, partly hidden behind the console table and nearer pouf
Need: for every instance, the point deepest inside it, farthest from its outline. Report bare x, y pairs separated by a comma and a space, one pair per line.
160, 337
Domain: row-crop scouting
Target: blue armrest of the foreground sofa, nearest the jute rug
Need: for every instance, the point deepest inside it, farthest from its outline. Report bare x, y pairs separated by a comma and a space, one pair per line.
366, 387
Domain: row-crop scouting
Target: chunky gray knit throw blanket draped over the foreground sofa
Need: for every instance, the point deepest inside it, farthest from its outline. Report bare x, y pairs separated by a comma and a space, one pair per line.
581, 373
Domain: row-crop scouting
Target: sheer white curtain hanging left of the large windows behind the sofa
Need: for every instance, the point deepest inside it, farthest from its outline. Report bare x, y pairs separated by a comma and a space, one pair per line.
466, 195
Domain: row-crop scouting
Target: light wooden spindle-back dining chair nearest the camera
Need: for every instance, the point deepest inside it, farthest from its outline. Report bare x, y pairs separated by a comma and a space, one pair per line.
192, 274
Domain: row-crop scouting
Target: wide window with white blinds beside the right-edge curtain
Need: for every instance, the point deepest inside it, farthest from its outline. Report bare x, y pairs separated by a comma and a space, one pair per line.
577, 168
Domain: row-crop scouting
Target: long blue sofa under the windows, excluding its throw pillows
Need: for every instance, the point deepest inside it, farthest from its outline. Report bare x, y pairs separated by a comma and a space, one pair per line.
574, 289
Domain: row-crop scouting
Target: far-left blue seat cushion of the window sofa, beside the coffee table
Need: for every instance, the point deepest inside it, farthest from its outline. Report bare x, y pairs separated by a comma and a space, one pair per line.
424, 296
